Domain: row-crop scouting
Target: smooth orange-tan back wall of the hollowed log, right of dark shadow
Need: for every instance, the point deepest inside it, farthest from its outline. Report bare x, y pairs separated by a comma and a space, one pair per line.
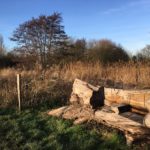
136, 98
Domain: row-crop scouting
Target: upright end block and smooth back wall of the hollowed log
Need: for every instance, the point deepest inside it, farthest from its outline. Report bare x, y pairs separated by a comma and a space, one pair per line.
87, 94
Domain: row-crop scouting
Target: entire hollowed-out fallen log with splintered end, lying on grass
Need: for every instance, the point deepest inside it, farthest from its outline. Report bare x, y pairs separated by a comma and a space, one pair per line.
131, 124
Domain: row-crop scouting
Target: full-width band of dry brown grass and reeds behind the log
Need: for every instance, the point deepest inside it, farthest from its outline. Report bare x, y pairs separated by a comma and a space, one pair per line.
55, 83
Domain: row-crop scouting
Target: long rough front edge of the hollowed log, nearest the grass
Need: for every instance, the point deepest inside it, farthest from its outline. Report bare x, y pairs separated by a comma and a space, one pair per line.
133, 130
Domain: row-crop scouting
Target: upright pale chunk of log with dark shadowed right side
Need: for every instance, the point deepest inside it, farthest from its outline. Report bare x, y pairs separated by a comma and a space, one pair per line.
87, 94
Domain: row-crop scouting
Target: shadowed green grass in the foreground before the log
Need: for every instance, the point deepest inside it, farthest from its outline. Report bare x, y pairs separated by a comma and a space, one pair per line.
33, 129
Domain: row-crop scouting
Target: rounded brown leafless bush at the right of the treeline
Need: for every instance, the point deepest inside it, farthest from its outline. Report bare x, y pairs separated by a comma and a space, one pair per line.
107, 52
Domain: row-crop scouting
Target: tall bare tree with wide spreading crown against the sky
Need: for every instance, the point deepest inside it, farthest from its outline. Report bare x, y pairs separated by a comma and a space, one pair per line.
41, 36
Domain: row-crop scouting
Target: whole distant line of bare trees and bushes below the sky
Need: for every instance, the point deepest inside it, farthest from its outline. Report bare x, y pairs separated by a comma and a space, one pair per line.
43, 41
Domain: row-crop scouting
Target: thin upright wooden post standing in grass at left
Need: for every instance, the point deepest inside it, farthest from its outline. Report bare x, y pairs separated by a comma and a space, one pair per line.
19, 91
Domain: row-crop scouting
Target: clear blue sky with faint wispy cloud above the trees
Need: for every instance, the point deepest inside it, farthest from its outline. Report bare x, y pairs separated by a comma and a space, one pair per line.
124, 21
